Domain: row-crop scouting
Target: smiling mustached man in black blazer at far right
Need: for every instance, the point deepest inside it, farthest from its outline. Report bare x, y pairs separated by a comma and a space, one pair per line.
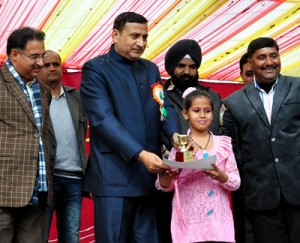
264, 122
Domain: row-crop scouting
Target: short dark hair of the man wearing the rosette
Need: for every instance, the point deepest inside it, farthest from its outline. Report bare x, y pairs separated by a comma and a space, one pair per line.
128, 17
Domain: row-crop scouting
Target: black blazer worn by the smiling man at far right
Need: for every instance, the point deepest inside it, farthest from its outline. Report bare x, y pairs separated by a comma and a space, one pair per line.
269, 154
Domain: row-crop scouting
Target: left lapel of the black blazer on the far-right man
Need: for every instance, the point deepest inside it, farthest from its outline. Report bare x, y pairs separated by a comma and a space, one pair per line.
253, 95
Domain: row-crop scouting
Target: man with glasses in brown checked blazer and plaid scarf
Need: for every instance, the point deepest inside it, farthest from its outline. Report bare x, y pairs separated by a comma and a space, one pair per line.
25, 176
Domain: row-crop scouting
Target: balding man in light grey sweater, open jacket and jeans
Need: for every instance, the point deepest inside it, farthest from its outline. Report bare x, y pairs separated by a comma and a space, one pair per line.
67, 151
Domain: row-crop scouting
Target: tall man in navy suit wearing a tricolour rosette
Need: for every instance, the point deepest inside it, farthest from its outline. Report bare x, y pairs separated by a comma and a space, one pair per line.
126, 118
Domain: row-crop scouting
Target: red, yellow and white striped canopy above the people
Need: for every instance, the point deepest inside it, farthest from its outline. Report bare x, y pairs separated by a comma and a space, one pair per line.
80, 30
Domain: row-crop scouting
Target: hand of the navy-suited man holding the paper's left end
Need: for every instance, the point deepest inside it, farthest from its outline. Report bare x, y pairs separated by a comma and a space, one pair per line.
152, 162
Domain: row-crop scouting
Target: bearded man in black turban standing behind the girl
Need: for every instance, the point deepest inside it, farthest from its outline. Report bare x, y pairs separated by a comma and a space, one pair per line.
182, 62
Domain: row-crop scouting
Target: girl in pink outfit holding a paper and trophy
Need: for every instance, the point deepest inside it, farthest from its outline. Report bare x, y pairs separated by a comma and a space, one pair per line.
201, 208
